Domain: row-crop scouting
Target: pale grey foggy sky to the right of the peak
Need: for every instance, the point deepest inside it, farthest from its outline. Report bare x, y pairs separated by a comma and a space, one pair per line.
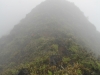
91, 9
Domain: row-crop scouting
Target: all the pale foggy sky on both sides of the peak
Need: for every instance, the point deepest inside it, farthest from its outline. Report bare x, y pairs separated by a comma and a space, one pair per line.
12, 11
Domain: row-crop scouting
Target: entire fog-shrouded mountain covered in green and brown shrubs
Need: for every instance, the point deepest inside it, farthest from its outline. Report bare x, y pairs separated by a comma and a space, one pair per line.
55, 38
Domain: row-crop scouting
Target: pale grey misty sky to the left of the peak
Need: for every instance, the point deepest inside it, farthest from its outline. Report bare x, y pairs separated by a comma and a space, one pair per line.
12, 11
